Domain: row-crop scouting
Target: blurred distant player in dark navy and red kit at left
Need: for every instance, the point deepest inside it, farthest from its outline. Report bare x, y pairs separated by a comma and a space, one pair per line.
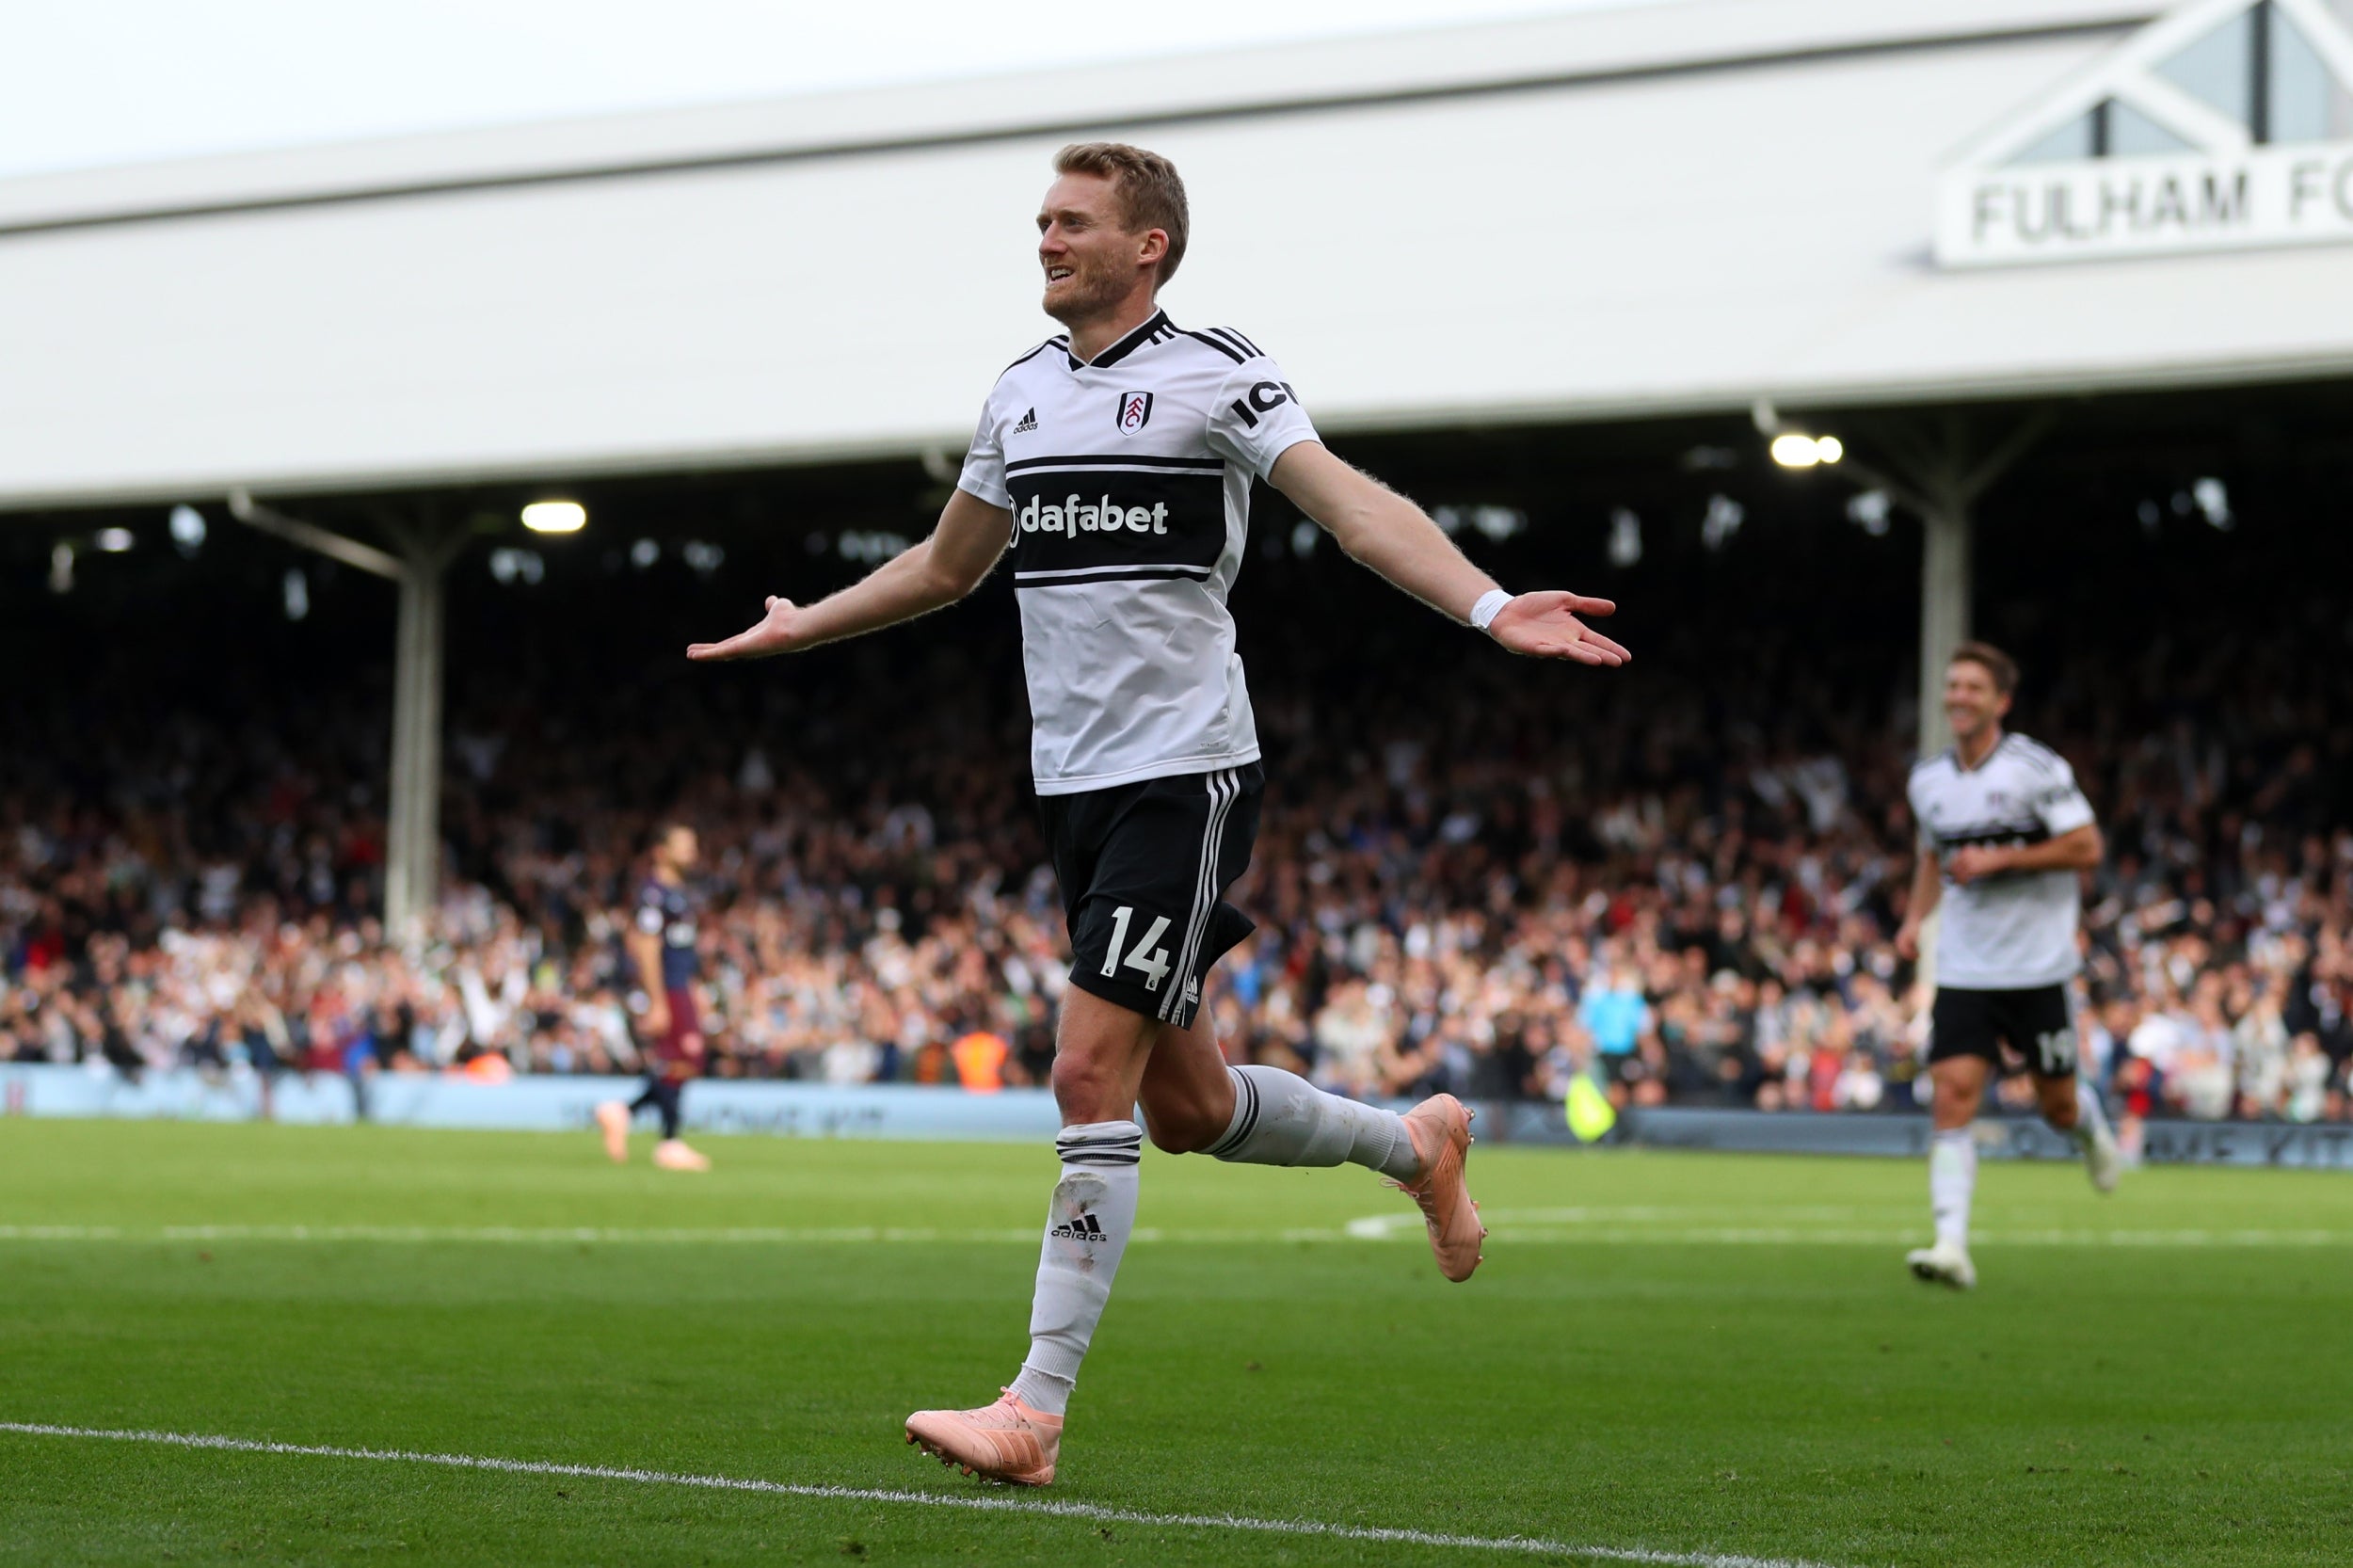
662, 950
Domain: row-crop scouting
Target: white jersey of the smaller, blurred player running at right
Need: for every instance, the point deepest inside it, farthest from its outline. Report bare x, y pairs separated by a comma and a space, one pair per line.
2013, 931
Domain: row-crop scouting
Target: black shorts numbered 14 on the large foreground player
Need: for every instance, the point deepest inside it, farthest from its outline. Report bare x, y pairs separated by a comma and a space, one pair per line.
1142, 877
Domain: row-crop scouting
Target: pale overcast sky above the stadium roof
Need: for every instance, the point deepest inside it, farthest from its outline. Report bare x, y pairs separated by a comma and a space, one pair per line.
133, 81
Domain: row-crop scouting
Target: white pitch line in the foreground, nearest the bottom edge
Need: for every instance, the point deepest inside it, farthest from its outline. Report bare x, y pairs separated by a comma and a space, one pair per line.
938, 1501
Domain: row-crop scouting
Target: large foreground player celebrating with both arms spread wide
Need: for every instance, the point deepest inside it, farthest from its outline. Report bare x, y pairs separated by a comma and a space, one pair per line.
1116, 465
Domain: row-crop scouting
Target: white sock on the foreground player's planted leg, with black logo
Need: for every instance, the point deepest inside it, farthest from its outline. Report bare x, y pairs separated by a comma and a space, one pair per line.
1086, 1233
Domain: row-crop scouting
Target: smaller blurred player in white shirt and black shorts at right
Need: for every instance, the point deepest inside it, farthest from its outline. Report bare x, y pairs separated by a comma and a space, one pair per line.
2004, 837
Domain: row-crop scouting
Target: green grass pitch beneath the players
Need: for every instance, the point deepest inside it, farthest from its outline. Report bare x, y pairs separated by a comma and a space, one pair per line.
1669, 1353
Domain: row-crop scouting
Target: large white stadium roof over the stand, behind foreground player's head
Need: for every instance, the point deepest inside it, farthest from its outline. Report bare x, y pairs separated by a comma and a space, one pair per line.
1674, 208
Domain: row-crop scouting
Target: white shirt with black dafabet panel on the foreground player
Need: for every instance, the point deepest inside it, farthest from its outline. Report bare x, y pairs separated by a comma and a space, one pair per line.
1128, 479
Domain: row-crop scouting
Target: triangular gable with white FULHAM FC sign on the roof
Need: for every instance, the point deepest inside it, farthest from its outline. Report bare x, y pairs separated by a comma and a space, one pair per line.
2225, 126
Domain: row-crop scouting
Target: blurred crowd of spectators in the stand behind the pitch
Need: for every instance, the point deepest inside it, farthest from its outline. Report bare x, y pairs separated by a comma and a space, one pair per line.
1681, 882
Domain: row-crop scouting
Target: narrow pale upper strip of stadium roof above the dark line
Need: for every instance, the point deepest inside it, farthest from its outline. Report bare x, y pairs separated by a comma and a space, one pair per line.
1582, 46
